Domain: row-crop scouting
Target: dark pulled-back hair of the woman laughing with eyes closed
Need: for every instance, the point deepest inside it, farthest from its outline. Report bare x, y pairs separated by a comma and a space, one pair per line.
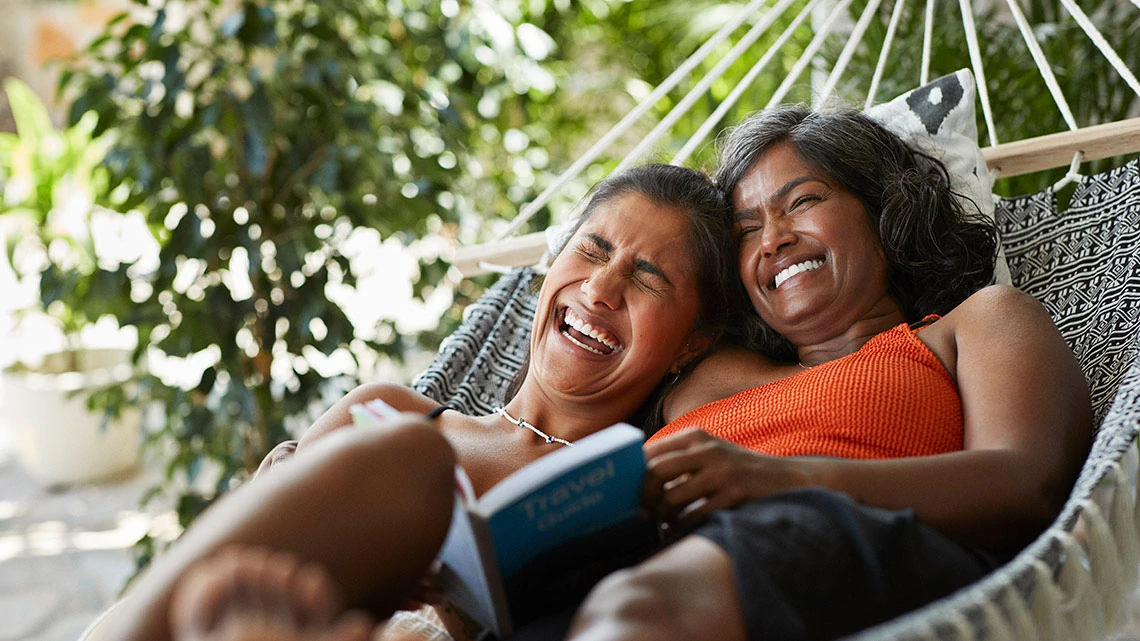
712, 245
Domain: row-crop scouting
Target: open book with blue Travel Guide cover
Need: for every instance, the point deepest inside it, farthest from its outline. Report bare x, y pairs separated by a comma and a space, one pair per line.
544, 535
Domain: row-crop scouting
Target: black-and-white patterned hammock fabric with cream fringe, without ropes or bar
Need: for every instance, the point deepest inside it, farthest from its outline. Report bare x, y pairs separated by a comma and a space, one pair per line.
1085, 266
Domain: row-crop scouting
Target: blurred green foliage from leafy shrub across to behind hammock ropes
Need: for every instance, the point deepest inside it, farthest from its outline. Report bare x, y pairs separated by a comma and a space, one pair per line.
258, 136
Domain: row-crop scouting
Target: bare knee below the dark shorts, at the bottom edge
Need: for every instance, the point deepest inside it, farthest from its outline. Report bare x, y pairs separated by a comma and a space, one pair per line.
685, 593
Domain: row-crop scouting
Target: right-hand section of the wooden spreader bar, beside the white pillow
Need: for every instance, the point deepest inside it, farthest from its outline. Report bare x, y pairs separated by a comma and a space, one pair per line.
1056, 150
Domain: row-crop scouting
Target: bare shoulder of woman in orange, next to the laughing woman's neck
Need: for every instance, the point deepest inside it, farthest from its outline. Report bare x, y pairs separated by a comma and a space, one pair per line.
721, 375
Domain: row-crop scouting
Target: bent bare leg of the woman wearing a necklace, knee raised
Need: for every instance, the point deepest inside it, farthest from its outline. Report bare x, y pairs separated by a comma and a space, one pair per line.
371, 507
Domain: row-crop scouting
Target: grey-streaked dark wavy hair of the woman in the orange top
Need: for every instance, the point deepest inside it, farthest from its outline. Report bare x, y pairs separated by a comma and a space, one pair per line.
939, 250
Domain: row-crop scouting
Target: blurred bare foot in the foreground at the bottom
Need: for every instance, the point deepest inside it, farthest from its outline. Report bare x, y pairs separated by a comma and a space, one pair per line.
253, 595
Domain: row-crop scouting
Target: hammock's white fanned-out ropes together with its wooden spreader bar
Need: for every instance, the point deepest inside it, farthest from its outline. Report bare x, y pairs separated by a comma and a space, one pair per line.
1023, 157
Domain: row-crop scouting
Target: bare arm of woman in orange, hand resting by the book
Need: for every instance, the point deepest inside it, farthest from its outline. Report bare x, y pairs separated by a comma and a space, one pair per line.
1028, 429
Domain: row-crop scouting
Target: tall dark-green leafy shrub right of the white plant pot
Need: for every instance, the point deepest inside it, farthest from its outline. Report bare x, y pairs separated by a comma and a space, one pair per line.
265, 141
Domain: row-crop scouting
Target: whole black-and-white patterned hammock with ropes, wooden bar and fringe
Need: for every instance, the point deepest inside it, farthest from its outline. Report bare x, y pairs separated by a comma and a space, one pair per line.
1084, 265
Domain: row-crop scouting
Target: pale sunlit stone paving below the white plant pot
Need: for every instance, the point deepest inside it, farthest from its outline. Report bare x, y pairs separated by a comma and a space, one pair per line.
66, 555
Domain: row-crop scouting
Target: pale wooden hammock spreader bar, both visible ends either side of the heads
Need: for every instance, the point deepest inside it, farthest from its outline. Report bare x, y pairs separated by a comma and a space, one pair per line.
1011, 159
